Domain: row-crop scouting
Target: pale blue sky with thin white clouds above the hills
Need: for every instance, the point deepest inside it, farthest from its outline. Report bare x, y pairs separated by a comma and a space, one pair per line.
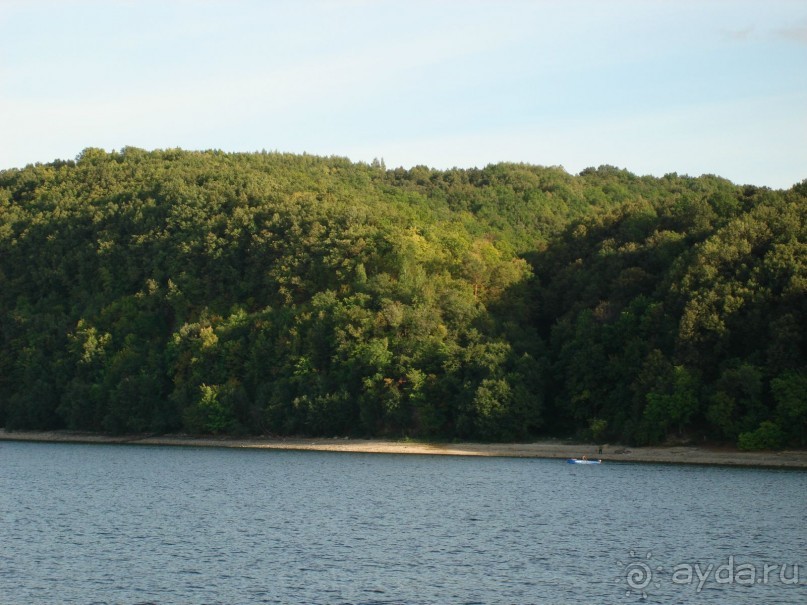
653, 86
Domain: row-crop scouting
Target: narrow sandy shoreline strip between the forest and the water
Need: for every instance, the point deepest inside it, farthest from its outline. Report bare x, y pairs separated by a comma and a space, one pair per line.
712, 456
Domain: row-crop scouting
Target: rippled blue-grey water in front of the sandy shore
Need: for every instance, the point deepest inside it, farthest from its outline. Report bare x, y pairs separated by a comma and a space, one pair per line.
135, 524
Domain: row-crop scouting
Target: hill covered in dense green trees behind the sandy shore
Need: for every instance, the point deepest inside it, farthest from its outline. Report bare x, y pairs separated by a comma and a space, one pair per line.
271, 293
